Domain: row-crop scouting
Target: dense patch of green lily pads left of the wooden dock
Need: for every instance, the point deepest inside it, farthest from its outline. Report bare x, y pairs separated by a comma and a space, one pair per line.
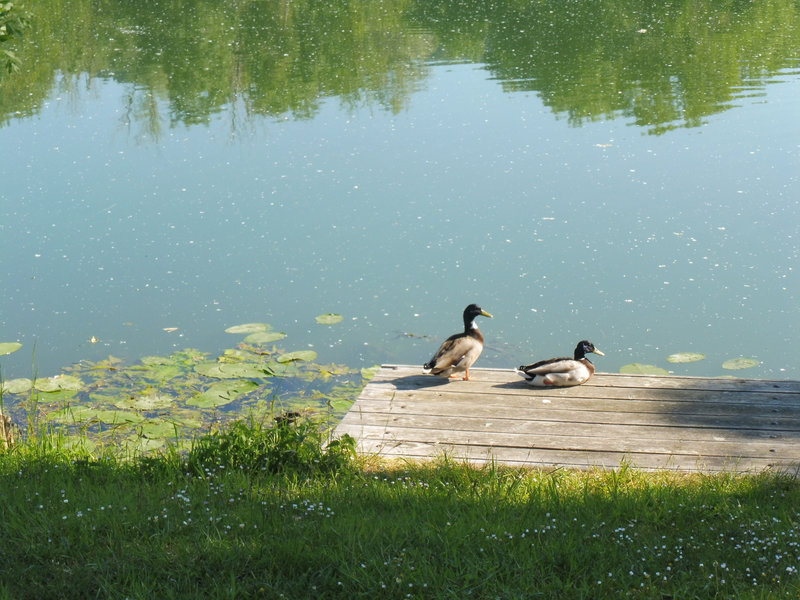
137, 406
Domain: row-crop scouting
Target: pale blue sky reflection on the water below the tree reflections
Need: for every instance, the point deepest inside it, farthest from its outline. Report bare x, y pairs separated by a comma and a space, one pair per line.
647, 245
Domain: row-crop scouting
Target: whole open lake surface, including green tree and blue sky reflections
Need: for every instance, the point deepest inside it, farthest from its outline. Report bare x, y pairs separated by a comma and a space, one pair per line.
594, 171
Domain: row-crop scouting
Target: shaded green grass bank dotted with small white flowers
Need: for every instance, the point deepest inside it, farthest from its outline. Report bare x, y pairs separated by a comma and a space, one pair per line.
260, 512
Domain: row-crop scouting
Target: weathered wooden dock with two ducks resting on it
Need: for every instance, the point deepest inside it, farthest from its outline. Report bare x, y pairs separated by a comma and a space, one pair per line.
650, 423
